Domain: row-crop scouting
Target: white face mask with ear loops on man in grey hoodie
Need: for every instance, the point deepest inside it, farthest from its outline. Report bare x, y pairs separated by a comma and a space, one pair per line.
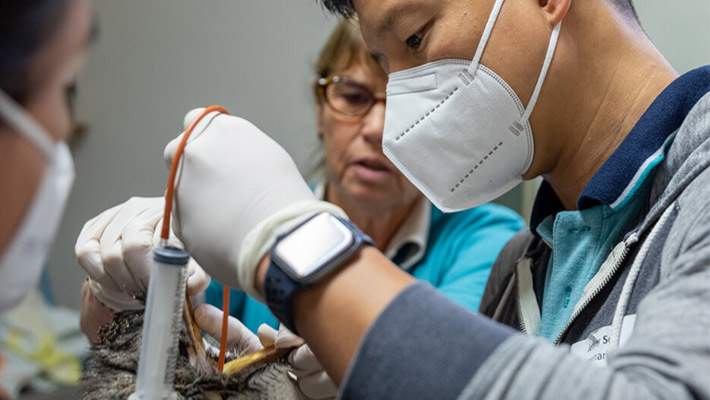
457, 130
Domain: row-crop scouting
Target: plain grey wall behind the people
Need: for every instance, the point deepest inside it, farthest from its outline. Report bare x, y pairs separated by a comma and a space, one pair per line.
157, 59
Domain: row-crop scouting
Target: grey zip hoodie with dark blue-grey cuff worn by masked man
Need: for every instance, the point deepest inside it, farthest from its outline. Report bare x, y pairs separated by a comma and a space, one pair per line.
641, 331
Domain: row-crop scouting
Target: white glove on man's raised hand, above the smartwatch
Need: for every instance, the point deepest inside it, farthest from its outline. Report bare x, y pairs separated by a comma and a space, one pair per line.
237, 191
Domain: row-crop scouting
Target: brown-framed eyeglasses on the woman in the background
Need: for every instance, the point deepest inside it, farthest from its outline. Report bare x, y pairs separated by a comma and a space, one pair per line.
346, 96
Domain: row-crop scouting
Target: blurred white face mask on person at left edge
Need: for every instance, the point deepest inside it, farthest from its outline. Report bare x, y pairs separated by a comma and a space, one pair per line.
22, 261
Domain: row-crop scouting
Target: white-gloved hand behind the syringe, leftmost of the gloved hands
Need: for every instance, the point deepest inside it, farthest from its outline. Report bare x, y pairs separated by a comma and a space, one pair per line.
116, 250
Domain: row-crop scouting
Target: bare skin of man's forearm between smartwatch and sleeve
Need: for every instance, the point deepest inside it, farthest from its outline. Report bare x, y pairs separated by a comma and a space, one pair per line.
334, 315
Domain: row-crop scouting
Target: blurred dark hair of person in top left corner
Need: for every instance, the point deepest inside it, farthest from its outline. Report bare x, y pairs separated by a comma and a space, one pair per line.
26, 26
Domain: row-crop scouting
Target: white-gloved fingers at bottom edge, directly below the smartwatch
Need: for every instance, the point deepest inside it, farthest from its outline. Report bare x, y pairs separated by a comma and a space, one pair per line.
313, 381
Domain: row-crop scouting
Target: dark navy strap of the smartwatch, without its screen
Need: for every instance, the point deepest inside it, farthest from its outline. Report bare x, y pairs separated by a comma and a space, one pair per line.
279, 287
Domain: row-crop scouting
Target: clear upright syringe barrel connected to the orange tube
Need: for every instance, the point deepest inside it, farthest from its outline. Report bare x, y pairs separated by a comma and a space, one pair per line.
161, 324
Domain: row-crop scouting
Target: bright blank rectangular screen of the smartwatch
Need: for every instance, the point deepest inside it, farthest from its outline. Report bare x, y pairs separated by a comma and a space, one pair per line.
313, 244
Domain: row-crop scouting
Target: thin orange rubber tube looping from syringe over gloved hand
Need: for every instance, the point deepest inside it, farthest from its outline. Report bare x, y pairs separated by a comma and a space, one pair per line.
165, 232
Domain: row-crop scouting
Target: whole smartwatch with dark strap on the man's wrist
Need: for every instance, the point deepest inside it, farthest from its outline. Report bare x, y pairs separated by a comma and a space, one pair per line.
305, 255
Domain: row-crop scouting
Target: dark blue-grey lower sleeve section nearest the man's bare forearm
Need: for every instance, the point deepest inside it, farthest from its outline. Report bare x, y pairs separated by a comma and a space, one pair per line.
422, 346
